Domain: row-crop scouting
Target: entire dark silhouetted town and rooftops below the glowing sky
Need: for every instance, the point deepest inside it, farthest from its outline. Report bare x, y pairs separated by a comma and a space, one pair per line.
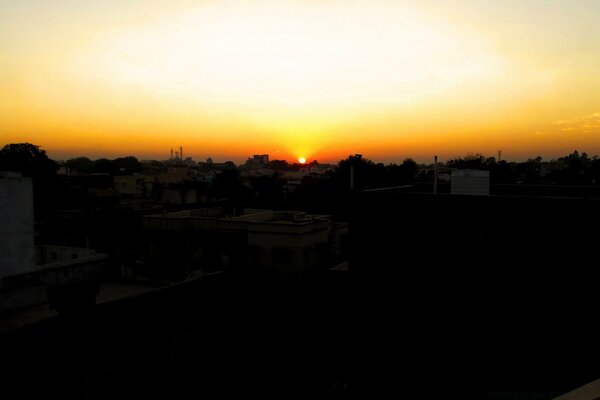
470, 278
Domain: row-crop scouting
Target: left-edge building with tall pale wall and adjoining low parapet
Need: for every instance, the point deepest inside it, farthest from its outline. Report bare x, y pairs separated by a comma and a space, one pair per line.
35, 274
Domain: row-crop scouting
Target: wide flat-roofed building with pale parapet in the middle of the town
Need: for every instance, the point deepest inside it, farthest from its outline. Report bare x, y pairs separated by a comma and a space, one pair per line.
257, 241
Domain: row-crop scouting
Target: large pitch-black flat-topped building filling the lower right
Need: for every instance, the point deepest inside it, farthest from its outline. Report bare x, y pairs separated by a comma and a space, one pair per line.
488, 280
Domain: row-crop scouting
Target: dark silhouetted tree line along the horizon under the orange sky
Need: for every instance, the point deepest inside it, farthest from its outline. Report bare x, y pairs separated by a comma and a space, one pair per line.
318, 192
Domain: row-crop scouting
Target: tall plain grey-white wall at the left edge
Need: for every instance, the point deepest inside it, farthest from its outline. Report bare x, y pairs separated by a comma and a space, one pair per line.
17, 253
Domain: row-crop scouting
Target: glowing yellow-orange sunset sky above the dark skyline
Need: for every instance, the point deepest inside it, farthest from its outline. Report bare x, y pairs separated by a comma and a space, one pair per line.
317, 79
